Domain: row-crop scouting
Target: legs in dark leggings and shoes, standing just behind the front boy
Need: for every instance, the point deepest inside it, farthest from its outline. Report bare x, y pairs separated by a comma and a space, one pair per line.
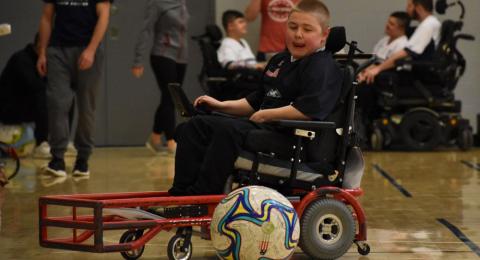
166, 71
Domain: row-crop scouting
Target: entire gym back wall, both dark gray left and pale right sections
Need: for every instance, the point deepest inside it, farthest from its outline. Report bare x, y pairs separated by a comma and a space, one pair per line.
126, 105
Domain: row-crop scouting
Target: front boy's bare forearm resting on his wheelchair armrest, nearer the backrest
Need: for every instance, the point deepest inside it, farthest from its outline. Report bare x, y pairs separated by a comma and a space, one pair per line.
281, 113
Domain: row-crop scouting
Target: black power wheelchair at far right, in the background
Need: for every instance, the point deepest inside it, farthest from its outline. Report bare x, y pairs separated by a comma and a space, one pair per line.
432, 116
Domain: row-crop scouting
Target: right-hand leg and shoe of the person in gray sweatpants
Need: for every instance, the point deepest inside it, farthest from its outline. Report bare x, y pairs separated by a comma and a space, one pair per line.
87, 84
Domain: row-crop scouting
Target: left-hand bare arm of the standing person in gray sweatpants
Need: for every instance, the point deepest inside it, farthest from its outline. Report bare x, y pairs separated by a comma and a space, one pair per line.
45, 31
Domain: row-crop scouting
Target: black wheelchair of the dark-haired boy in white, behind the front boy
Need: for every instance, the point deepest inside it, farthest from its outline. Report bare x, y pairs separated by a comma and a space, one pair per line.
216, 81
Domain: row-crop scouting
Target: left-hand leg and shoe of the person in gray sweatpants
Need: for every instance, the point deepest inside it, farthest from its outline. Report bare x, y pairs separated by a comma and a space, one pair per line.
61, 63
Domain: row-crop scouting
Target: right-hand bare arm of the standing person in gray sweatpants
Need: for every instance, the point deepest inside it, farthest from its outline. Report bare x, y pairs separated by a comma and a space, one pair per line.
87, 57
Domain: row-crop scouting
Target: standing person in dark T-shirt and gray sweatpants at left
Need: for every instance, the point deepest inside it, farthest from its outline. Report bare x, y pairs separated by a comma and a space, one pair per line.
73, 62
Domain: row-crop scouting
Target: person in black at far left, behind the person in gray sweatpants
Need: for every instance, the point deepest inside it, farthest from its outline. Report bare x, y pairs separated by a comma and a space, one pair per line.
23, 95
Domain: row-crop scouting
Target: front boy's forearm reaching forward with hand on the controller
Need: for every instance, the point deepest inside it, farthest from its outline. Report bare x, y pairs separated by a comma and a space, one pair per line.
239, 107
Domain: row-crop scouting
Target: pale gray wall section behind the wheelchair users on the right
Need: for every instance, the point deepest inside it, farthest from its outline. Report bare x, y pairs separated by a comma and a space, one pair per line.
365, 22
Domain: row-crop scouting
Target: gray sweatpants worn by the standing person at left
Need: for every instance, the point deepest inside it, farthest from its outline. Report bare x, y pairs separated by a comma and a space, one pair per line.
66, 83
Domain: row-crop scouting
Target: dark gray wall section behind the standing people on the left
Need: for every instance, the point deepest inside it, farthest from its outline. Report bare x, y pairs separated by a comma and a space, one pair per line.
126, 105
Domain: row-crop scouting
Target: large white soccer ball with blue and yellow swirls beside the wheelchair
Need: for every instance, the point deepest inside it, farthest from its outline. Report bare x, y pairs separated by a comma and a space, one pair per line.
255, 223
